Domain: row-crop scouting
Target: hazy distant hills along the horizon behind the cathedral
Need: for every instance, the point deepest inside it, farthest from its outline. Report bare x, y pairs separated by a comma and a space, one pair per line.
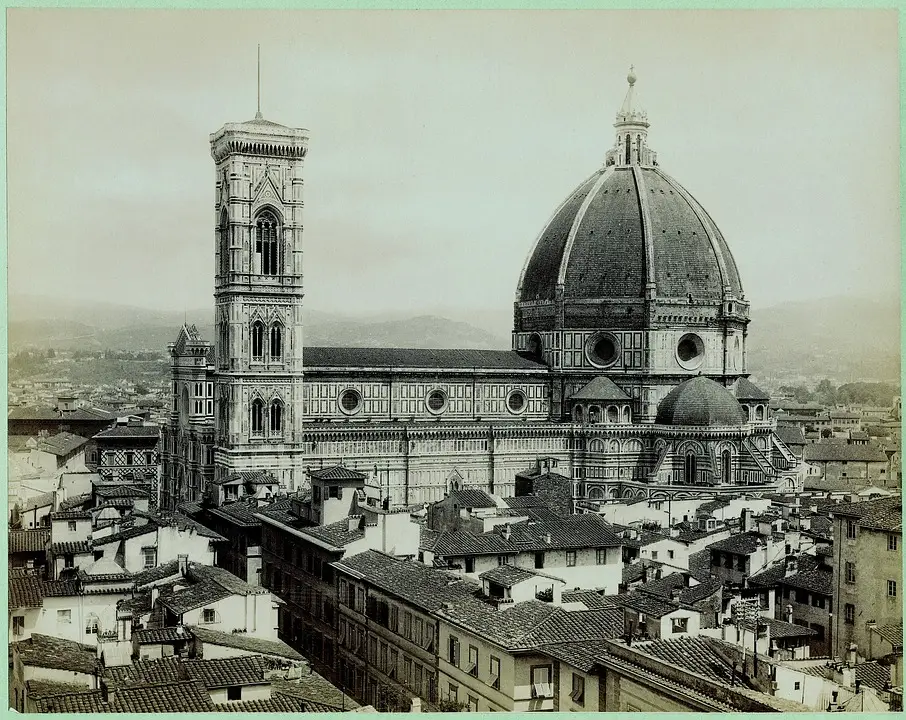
843, 339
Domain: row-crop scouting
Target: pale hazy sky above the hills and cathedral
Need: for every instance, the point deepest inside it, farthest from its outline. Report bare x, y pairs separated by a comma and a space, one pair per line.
442, 141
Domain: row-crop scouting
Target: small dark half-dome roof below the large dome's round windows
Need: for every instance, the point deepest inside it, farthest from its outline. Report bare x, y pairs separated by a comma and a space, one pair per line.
700, 401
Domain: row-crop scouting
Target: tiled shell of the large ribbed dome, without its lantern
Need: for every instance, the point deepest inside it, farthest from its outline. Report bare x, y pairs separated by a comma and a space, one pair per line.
626, 227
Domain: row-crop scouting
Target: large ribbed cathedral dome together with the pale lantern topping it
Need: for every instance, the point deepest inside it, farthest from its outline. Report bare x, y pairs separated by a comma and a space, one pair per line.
629, 233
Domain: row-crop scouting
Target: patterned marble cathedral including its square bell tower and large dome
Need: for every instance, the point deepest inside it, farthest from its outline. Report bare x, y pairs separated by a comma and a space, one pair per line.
628, 361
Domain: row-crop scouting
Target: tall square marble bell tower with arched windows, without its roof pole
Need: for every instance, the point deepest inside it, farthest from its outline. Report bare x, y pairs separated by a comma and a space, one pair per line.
258, 298
